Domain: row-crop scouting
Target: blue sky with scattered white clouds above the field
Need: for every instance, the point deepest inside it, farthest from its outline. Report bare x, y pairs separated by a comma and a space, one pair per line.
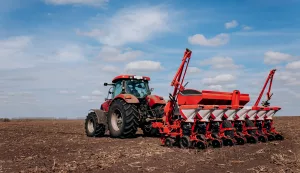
56, 54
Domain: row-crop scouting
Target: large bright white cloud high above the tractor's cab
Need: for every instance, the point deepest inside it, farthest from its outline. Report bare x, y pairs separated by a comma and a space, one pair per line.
132, 25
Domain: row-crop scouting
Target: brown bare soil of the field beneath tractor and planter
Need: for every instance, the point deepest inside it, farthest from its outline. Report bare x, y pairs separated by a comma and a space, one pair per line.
61, 146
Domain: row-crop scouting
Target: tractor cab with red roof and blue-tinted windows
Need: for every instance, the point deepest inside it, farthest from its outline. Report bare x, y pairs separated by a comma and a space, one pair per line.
129, 84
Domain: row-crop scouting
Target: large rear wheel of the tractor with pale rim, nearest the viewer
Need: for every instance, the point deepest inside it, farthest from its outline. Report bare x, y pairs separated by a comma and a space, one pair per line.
129, 117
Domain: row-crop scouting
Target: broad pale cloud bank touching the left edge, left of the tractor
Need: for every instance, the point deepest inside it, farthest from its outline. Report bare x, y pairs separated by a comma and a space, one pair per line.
28, 52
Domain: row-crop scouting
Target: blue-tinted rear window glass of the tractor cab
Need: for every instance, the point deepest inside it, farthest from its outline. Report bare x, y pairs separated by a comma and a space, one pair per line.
138, 88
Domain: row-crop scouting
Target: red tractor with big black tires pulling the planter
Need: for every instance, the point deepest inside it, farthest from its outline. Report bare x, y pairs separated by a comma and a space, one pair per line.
128, 106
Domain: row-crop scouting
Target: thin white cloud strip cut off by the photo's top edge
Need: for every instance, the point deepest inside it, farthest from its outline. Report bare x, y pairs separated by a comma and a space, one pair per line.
78, 2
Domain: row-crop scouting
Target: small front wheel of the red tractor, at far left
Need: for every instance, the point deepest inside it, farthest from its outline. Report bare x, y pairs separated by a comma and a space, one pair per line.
92, 128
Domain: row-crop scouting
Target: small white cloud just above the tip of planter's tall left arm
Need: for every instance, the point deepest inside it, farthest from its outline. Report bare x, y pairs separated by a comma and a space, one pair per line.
218, 40
